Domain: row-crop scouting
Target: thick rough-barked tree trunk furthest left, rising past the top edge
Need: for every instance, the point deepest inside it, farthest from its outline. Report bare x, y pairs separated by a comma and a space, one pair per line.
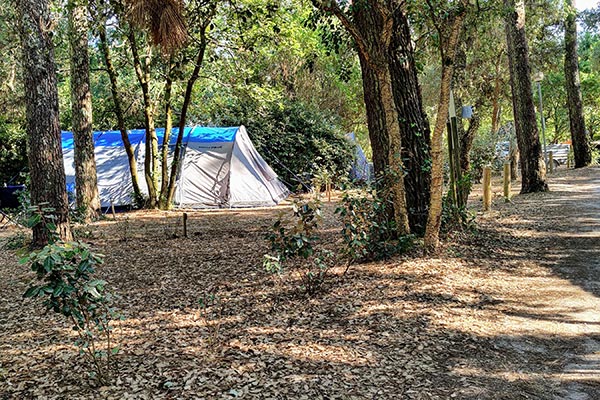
48, 183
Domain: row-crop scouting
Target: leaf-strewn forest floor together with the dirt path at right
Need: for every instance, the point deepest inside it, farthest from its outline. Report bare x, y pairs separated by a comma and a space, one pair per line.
511, 312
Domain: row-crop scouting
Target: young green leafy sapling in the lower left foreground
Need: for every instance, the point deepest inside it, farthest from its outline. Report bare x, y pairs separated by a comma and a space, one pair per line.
65, 280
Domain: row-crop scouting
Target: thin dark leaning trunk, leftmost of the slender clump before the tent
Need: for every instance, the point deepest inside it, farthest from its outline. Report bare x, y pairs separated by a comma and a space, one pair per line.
116, 96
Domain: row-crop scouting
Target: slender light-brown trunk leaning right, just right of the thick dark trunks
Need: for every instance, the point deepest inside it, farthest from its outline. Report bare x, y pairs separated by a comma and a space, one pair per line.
448, 54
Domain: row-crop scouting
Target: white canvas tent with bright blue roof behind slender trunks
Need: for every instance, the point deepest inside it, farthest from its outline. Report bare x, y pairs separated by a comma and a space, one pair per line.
220, 168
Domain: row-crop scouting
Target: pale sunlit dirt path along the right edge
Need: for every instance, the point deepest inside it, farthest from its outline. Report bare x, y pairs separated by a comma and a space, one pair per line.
562, 229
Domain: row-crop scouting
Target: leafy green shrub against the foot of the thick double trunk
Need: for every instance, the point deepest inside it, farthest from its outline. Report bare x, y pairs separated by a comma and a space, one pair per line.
369, 230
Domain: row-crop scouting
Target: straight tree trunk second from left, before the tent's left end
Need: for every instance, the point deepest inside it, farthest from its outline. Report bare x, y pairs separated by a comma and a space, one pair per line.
88, 201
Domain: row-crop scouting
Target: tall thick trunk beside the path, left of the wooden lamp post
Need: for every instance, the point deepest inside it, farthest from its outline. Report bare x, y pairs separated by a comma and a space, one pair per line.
533, 170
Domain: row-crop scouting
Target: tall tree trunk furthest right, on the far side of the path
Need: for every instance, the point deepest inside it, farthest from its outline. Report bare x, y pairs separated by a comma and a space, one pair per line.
581, 147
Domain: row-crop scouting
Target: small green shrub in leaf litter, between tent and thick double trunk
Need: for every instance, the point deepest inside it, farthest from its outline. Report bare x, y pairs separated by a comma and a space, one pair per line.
293, 246
